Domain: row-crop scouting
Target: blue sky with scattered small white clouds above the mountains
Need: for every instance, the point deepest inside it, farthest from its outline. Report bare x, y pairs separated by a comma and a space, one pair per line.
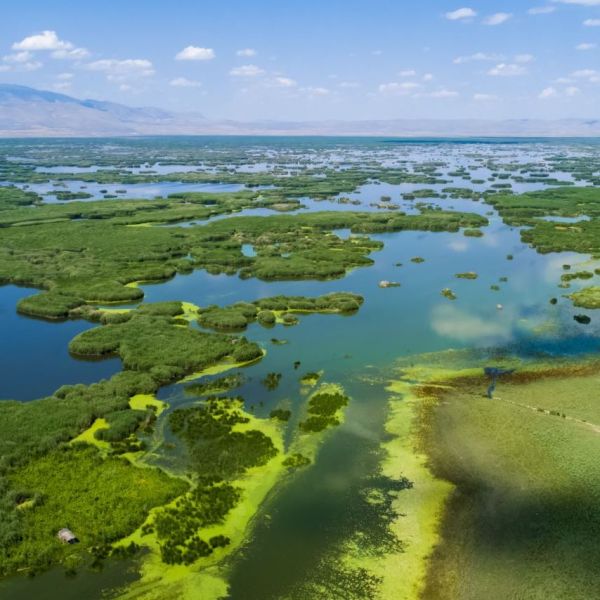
313, 59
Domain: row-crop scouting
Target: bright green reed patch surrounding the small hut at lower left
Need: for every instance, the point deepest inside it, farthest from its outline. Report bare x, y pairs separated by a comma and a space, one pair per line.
100, 499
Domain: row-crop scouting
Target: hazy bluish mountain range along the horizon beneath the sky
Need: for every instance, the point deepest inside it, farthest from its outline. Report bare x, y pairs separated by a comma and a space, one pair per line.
27, 112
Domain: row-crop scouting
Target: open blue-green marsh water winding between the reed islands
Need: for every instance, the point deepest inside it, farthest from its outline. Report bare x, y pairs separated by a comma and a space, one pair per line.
303, 523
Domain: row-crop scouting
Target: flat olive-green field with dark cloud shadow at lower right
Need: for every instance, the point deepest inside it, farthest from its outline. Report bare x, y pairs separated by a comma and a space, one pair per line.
524, 519
